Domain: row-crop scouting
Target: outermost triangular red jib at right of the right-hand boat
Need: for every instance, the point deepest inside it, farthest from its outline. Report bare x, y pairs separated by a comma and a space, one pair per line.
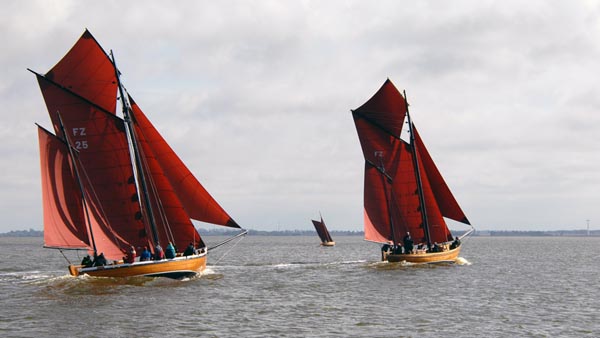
445, 200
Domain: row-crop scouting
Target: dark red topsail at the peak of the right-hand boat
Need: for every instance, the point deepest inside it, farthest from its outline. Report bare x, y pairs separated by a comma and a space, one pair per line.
386, 109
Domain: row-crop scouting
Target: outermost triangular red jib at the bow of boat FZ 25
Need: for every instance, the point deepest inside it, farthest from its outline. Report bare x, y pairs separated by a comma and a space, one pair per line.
198, 203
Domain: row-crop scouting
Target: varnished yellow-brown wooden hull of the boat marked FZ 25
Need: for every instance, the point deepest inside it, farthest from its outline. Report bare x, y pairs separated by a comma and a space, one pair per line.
174, 268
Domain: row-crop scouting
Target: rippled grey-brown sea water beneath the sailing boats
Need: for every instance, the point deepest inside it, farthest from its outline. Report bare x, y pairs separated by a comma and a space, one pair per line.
290, 286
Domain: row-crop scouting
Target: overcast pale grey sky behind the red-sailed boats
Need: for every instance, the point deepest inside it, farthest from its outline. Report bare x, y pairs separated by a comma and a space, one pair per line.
255, 97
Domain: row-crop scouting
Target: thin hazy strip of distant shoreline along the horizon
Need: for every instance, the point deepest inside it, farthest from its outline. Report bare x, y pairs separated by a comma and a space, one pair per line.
338, 233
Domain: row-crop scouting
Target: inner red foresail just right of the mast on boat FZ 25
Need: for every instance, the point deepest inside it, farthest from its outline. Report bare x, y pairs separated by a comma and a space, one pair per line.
172, 220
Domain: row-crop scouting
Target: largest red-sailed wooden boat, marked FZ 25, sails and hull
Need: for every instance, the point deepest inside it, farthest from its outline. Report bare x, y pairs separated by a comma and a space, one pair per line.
111, 183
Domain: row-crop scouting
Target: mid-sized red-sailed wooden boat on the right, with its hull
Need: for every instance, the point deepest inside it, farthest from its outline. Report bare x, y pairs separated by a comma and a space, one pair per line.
405, 196
